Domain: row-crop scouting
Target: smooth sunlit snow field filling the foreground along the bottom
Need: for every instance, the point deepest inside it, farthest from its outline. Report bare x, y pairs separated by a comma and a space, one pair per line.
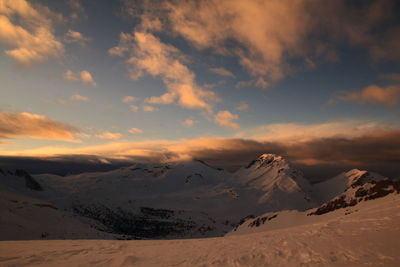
367, 235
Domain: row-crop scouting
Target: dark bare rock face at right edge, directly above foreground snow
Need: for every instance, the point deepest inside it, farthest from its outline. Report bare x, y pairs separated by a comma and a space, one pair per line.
363, 193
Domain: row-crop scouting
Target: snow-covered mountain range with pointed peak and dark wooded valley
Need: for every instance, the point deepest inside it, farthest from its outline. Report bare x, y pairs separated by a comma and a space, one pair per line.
176, 199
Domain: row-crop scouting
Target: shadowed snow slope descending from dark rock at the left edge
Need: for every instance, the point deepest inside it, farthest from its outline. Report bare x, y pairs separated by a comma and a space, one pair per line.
25, 216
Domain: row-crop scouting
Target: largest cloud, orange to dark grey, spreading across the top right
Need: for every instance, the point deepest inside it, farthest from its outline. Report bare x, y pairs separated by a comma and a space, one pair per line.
276, 38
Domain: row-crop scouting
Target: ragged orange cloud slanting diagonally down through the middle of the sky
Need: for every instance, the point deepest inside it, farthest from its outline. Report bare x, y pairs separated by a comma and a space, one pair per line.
147, 54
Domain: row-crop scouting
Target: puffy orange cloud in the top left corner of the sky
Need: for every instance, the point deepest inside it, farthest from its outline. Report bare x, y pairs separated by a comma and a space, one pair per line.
28, 30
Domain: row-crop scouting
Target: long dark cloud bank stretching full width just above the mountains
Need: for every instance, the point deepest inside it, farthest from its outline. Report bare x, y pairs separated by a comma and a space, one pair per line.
319, 159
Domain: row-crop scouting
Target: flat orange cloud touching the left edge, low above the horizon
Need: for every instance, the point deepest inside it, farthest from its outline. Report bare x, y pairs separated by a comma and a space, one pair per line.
24, 125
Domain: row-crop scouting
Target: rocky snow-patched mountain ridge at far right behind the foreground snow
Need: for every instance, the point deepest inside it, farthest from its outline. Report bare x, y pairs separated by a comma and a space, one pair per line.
341, 195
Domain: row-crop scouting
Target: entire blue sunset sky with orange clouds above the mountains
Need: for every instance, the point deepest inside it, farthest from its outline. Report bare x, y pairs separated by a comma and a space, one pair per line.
315, 81
